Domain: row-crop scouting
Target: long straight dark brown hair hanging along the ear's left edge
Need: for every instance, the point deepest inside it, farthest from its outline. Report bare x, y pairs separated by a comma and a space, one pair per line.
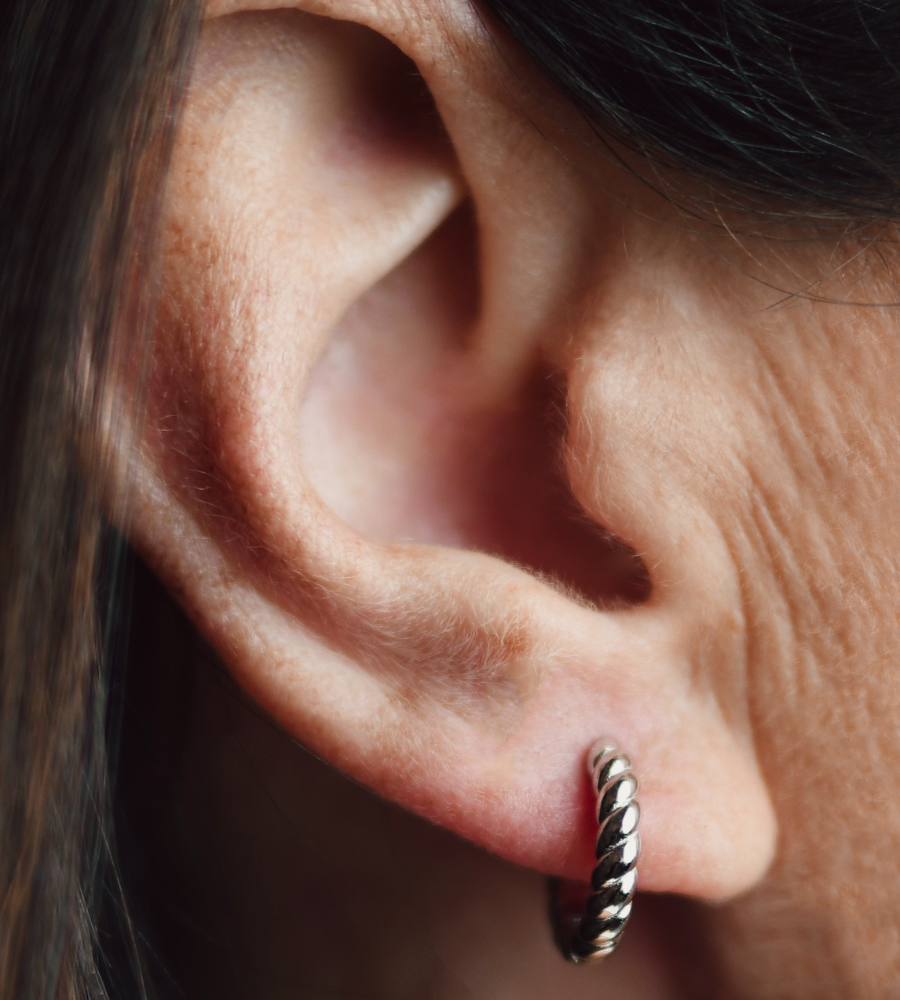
87, 94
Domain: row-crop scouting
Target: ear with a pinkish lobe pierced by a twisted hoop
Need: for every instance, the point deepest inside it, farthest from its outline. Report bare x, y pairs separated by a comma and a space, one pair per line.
354, 474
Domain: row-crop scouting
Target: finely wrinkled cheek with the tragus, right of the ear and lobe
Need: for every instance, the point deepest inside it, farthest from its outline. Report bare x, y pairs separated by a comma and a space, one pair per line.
762, 446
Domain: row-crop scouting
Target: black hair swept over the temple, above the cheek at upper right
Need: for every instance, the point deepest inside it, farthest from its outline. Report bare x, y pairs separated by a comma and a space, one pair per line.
797, 101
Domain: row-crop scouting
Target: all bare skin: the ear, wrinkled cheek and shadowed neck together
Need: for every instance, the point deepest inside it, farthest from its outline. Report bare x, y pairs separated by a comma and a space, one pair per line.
467, 445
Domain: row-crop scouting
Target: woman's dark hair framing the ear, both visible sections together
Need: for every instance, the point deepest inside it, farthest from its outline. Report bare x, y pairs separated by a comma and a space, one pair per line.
794, 101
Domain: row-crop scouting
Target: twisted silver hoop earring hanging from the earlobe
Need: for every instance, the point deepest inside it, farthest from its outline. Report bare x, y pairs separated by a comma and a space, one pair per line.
589, 920
